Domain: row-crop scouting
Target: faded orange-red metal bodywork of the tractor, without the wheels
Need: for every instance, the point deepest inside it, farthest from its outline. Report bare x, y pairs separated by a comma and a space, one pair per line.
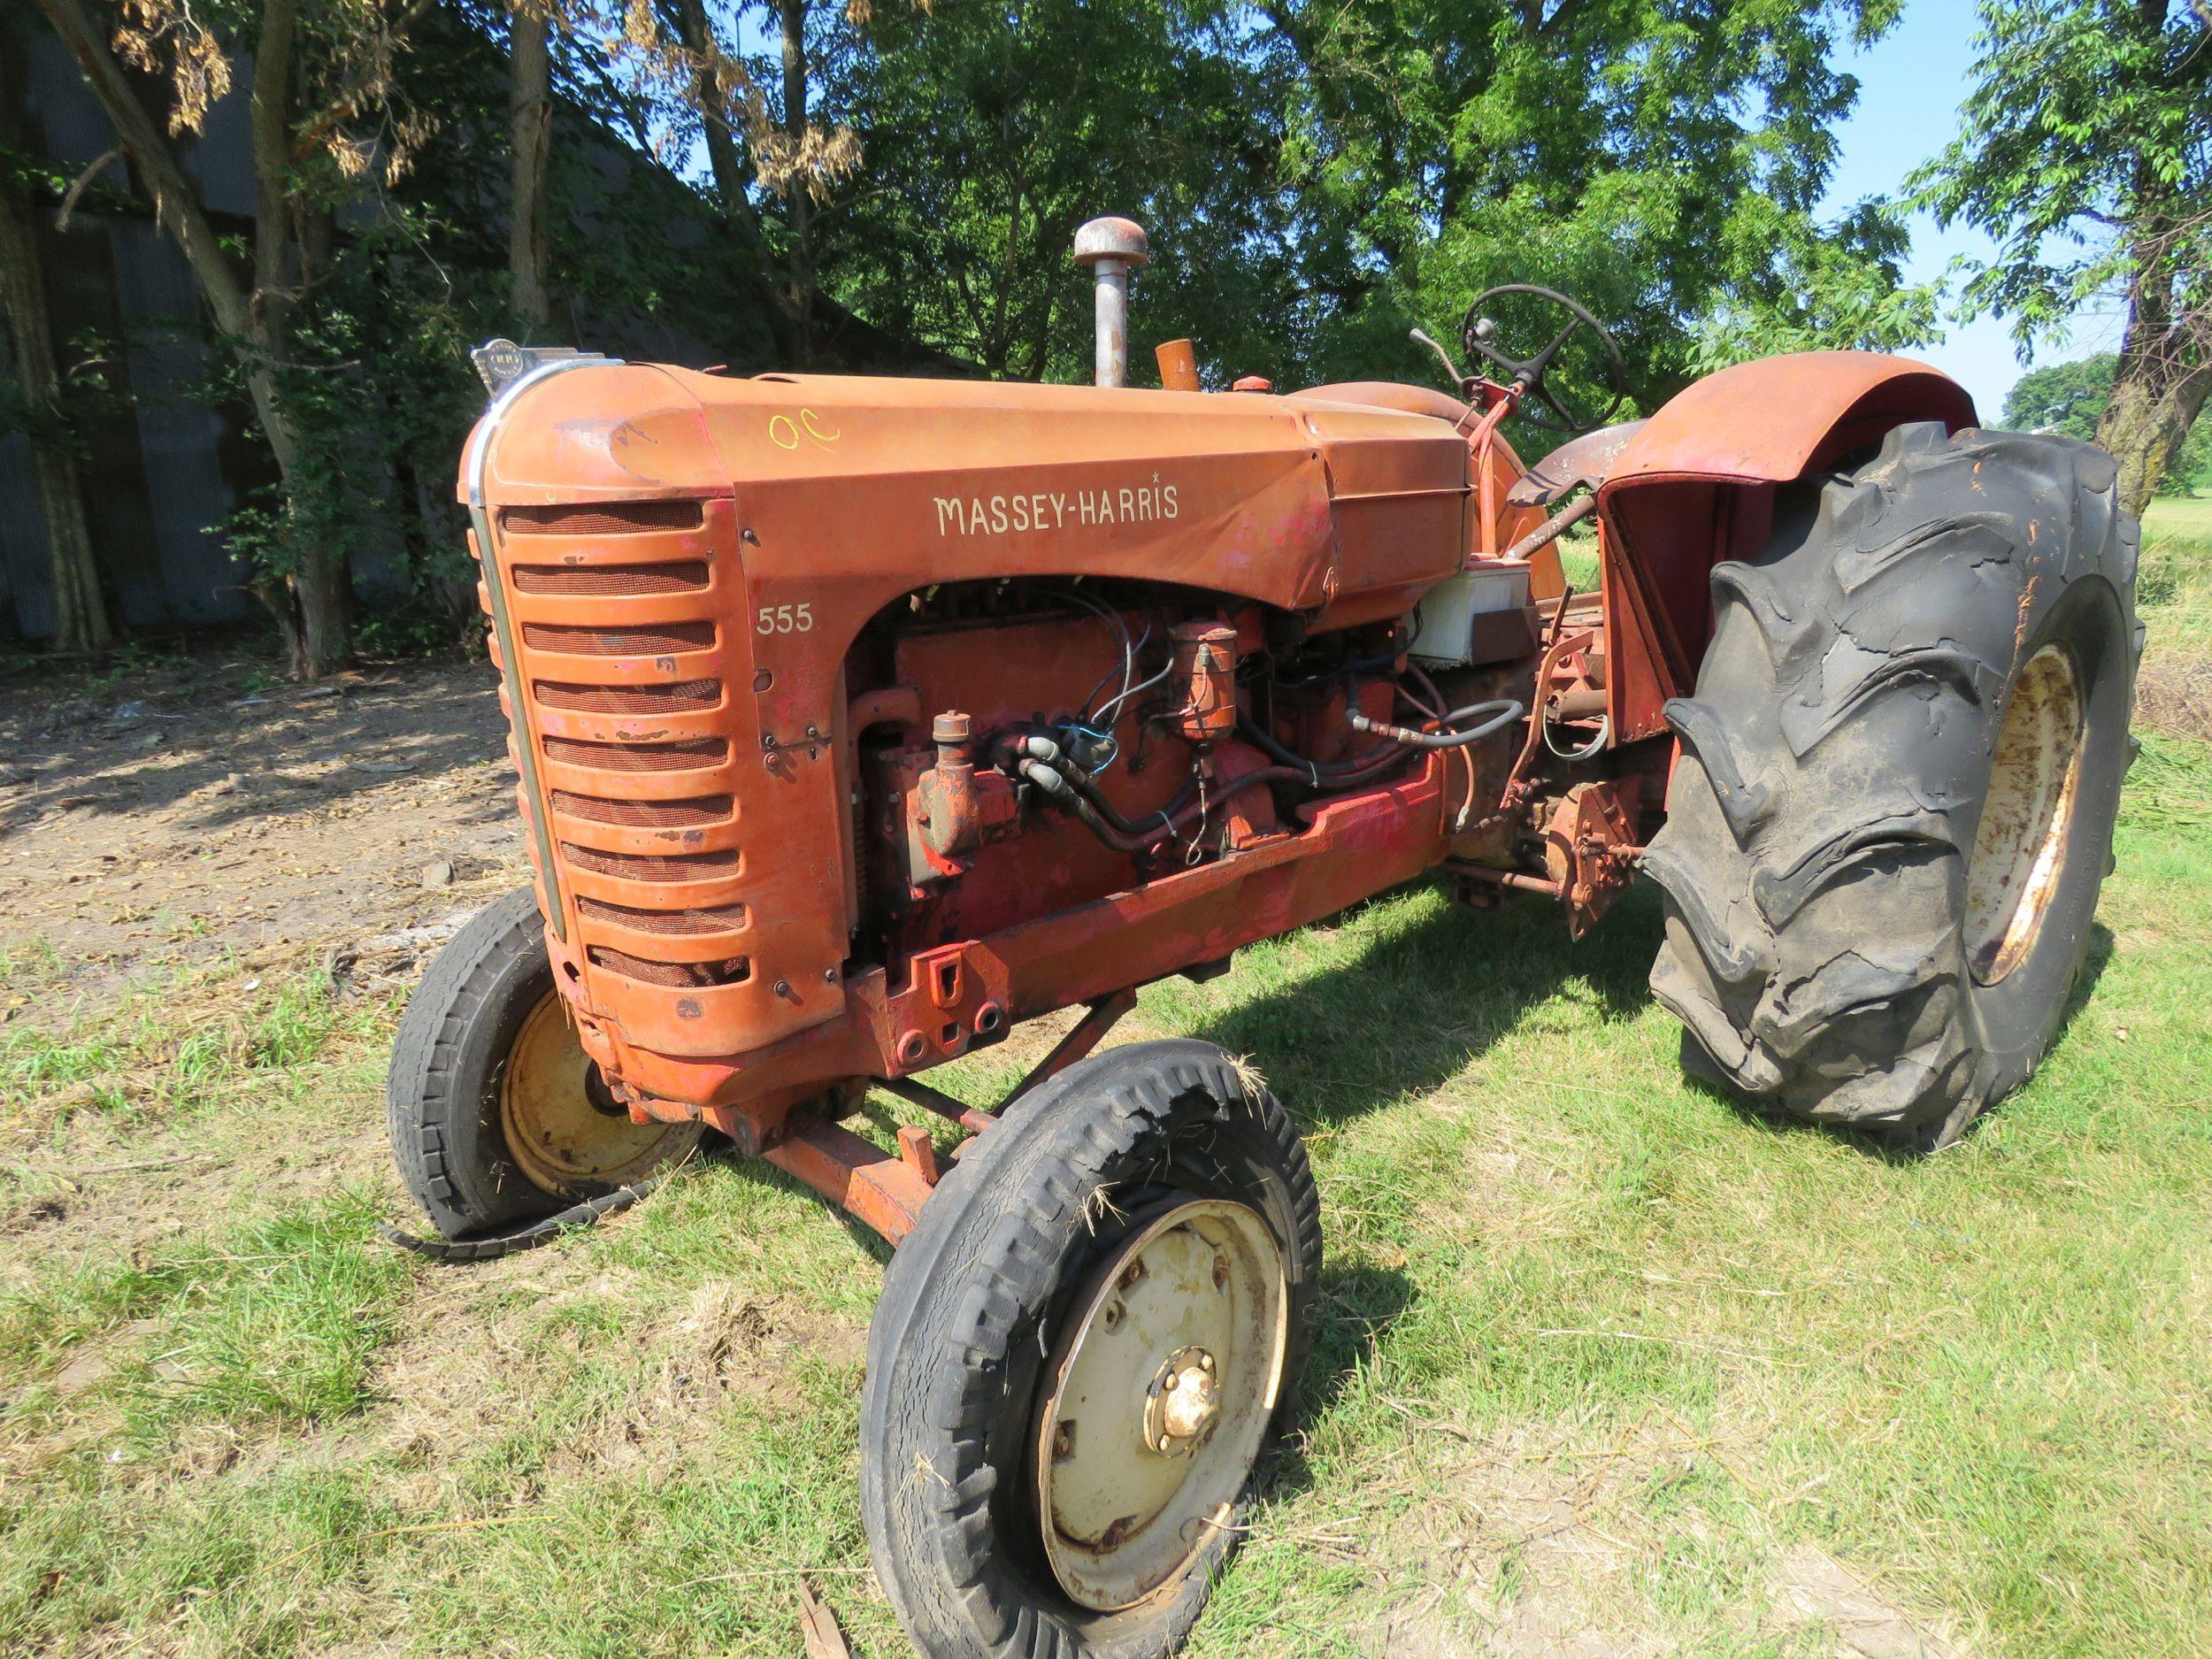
766, 634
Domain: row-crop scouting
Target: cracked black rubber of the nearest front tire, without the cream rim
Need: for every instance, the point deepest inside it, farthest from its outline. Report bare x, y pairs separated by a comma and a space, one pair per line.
968, 1315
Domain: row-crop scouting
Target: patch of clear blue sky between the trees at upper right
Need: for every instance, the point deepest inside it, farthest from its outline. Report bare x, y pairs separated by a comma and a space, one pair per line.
1910, 87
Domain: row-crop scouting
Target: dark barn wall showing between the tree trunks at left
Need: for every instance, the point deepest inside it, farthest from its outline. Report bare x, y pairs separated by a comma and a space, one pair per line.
169, 468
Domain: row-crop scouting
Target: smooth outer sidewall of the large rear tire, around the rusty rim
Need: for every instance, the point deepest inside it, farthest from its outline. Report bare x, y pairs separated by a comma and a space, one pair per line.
2021, 1014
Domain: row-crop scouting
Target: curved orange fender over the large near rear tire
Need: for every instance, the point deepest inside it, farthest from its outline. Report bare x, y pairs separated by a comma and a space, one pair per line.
1698, 488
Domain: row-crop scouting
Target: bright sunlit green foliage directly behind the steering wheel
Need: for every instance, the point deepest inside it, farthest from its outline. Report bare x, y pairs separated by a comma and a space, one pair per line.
1660, 165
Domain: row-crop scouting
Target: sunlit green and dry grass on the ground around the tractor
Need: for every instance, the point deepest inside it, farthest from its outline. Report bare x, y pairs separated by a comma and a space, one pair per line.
1598, 1353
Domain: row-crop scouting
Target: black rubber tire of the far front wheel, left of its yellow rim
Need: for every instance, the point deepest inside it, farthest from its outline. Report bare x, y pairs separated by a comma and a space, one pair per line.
444, 1092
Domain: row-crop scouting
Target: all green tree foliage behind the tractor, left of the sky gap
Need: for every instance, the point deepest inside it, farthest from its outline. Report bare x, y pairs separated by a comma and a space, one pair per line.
1317, 178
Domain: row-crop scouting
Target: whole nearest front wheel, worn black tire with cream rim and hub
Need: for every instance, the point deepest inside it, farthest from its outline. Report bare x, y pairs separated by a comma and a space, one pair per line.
1036, 1481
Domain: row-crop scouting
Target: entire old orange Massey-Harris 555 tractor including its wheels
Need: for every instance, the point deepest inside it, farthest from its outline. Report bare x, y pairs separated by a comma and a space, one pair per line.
862, 720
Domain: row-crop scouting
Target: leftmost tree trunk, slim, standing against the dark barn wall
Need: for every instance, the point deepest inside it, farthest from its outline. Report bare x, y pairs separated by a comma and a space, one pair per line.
79, 609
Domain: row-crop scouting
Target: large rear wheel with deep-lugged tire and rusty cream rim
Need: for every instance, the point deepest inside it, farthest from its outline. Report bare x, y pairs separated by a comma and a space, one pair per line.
1899, 782
